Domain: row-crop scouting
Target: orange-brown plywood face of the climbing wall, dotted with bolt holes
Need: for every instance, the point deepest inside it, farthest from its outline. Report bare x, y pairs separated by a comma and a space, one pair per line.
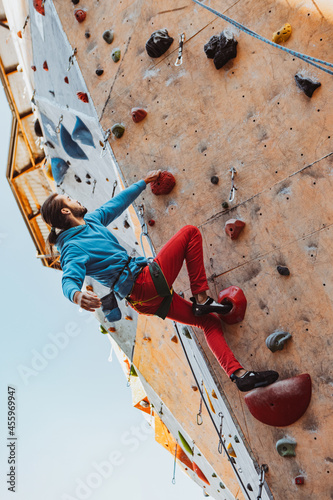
201, 122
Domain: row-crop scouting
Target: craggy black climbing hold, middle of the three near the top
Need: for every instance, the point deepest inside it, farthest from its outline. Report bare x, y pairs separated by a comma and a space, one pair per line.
221, 48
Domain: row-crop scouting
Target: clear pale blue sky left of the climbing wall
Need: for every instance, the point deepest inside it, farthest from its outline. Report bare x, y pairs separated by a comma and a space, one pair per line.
78, 436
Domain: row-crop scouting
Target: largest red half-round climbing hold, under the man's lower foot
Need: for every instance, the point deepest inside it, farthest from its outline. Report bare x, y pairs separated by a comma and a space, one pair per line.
281, 403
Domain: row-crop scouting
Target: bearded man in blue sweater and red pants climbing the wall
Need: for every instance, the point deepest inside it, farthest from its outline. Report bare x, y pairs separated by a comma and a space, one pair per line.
88, 248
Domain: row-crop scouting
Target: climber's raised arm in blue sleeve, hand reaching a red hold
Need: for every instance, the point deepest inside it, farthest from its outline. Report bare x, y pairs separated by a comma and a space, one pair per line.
115, 207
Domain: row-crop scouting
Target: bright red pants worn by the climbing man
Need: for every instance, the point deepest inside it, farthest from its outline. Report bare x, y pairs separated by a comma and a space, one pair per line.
186, 244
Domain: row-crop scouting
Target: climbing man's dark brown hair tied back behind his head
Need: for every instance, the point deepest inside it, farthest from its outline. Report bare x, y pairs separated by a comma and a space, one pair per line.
51, 214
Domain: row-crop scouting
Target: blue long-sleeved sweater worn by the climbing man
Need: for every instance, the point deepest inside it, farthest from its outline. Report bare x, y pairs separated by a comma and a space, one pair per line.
92, 250
